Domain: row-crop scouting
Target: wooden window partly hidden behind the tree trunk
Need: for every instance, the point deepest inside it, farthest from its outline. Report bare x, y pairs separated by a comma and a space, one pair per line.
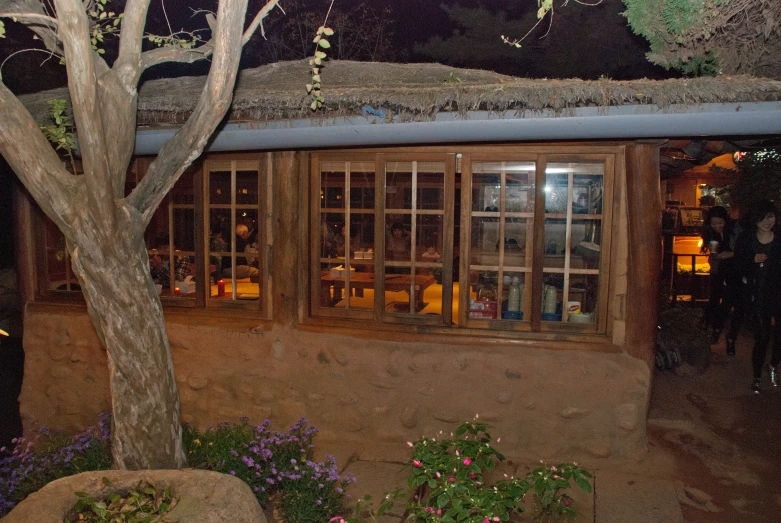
207, 241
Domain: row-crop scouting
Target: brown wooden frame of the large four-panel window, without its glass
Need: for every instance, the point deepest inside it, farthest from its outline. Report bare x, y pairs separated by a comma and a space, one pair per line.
610, 155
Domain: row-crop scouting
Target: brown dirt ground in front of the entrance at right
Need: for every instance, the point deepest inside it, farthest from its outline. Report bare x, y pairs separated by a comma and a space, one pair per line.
720, 443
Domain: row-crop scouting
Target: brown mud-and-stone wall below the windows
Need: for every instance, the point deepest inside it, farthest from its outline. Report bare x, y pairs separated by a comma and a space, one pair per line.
546, 404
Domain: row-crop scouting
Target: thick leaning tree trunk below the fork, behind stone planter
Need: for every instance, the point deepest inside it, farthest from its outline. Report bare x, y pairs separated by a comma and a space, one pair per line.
113, 269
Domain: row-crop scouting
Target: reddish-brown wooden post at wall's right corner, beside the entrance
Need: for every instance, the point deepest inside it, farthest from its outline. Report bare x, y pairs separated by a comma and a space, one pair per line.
644, 213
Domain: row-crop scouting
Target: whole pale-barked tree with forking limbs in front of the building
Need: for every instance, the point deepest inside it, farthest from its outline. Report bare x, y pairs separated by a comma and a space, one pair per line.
104, 229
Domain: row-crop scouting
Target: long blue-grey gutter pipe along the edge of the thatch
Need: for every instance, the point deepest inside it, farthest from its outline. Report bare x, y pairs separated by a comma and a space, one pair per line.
587, 123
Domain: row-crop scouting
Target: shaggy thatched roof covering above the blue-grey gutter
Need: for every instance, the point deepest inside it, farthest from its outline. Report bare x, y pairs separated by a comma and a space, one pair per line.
416, 92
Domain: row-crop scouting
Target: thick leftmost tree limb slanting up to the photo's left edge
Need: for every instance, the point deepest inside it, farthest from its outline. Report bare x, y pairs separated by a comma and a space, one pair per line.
33, 159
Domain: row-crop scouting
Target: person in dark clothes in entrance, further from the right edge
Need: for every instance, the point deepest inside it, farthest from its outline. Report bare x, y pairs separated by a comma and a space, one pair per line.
717, 237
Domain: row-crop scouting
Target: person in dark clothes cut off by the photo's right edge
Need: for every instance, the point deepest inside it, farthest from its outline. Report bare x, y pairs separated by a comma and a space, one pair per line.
758, 255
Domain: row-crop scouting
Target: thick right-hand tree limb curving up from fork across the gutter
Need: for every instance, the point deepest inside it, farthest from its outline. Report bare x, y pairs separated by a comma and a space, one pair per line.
188, 143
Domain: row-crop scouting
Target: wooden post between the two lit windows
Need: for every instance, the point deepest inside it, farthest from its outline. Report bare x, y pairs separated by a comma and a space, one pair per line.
286, 250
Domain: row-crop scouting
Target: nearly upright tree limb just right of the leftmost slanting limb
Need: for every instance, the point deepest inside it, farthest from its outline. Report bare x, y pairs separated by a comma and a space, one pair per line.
83, 87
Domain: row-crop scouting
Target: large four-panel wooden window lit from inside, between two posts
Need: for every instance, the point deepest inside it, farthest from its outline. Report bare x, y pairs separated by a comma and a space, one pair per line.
533, 256
